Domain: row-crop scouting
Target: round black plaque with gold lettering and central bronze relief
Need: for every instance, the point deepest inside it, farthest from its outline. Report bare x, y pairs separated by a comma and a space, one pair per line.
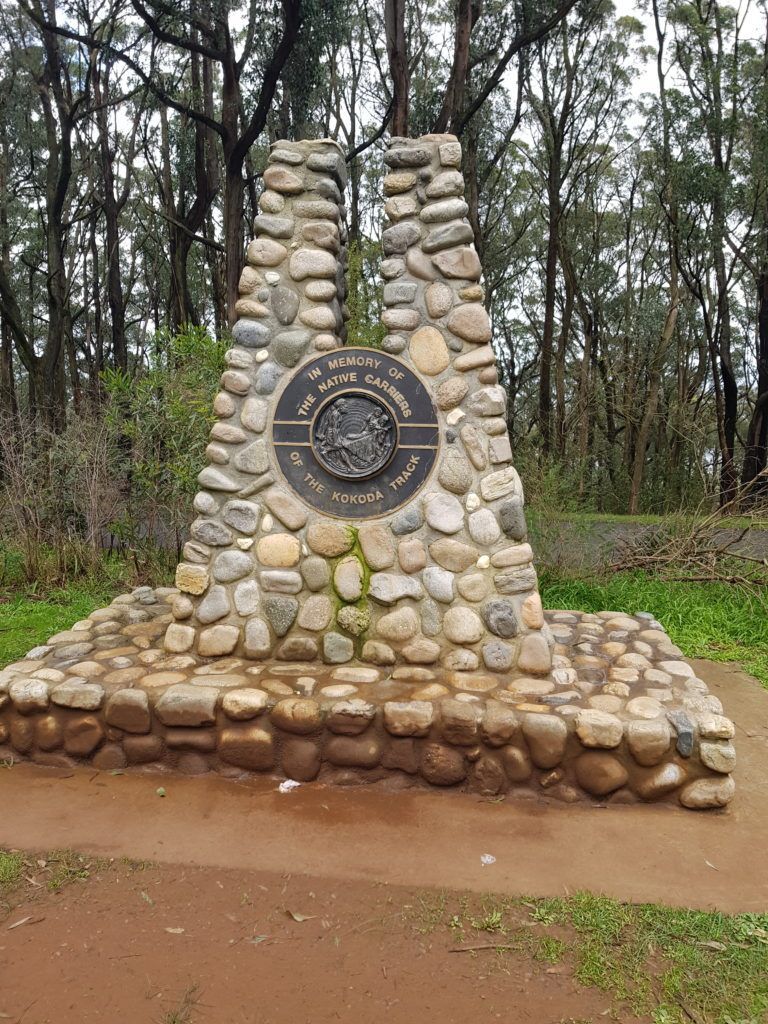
356, 434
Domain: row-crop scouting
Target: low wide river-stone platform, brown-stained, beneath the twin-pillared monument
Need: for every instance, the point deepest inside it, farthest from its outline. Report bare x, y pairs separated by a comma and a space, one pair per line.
620, 717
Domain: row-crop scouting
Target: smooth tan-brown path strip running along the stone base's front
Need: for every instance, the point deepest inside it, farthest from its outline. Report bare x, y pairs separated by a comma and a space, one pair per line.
421, 838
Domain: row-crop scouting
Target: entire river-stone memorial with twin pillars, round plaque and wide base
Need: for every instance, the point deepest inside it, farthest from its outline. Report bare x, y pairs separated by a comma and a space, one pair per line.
358, 600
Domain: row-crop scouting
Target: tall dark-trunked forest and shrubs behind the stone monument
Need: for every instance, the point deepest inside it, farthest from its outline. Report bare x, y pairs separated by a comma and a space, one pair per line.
617, 168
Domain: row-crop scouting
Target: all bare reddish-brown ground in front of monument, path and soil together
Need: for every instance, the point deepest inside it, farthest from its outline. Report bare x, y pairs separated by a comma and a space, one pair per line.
207, 930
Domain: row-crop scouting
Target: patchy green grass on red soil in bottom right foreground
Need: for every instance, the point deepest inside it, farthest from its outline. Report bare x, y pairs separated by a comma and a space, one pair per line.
675, 966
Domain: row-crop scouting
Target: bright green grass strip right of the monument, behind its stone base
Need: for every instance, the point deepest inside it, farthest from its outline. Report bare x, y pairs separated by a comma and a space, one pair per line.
715, 621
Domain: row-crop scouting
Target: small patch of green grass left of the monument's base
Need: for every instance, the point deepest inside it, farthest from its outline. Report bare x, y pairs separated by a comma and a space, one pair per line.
29, 620
